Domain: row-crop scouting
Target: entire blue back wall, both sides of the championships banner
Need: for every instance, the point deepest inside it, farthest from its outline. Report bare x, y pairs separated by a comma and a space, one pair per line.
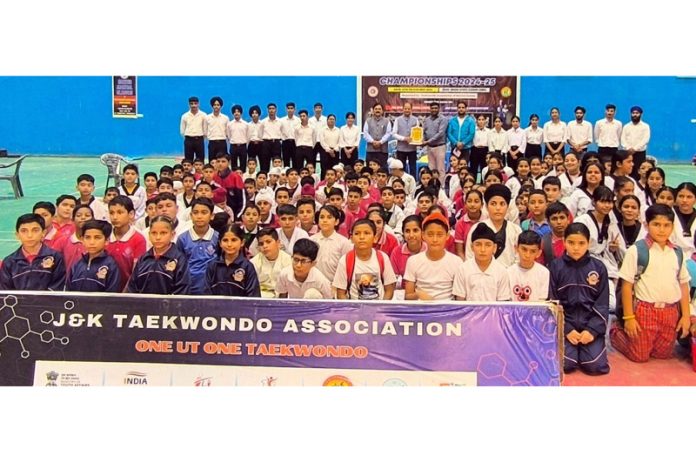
72, 115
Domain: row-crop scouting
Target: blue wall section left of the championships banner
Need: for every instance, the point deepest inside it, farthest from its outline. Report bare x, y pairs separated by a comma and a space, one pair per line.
72, 115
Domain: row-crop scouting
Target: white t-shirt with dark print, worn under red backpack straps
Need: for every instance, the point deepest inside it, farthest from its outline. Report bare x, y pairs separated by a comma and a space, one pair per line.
367, 283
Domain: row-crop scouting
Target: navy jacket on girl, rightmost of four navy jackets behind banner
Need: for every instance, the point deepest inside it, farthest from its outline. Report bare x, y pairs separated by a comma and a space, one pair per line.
239, 279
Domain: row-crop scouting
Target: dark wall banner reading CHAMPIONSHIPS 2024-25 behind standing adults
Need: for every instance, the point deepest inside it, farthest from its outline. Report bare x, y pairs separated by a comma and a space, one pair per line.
488, 95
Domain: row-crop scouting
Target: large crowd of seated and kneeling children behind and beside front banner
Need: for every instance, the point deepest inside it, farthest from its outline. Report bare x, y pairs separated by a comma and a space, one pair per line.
368, 232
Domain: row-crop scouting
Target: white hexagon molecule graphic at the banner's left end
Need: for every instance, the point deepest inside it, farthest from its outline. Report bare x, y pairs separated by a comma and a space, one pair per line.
17, 328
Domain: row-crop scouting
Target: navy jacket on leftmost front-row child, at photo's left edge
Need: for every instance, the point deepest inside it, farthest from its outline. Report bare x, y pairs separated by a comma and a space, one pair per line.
45, 272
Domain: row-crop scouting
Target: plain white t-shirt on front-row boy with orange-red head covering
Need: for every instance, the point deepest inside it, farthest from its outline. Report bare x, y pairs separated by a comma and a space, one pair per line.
435, 277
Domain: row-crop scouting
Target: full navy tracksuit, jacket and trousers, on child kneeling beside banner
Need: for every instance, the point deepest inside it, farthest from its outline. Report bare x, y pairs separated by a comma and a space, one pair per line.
582, 287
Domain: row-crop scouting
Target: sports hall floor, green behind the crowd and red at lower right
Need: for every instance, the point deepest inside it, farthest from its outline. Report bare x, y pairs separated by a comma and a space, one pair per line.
45, 178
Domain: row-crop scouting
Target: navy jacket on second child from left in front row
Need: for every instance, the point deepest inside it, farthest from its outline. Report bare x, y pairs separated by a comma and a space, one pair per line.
99, 275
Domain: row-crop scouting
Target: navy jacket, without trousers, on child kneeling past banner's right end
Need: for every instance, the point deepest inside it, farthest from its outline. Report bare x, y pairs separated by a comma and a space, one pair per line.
582, 287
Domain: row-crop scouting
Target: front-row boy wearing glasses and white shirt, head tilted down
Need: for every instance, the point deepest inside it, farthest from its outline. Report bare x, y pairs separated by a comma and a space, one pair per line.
296, 280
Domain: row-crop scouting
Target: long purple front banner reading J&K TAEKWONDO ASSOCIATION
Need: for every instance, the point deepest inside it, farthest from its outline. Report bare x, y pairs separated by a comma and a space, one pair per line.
85, 339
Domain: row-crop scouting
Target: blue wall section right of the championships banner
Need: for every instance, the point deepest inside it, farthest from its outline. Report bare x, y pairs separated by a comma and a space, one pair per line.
669, 104
